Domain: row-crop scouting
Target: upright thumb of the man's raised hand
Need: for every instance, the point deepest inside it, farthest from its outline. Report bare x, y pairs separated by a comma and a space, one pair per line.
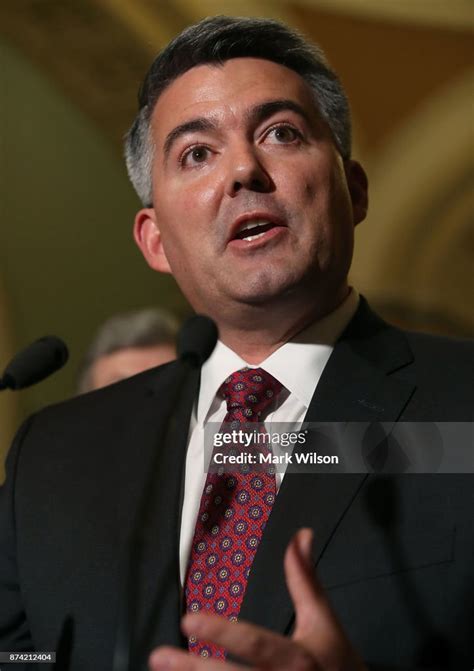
313, 612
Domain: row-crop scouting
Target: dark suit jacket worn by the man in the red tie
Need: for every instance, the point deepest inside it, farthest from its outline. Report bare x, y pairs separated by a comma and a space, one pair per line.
395, 554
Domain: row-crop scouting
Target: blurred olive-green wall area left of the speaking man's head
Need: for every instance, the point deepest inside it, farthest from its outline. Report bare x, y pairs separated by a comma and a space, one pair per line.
67, 259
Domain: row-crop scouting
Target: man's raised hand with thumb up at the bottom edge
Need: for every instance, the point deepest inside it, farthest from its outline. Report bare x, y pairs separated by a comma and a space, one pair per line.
317, 644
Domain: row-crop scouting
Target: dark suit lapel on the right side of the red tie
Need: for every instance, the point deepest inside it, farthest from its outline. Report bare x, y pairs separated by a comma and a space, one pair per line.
356, 386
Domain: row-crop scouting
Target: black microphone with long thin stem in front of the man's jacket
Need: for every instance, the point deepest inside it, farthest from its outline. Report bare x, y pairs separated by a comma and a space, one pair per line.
195, 343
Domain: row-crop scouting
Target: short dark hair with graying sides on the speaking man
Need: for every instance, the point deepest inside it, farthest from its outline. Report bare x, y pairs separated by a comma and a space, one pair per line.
216, 40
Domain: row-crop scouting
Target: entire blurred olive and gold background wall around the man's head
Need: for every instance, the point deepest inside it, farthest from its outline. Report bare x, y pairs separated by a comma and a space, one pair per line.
68, 81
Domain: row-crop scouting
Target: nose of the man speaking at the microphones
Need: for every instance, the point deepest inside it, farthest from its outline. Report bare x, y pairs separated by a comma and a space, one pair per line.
247, 172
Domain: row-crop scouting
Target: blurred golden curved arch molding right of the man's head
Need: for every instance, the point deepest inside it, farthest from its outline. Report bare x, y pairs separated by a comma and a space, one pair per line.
415, 249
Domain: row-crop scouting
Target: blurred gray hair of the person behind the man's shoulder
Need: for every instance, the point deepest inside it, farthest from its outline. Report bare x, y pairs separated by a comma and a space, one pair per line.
140, 328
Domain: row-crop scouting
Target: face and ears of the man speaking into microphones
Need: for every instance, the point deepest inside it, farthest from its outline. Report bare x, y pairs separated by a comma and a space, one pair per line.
252, 201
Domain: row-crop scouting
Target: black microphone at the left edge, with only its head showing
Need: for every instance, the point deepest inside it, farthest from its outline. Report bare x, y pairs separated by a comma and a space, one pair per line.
35, 363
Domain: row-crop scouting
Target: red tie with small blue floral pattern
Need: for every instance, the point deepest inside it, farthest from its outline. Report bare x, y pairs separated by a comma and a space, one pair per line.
232, 516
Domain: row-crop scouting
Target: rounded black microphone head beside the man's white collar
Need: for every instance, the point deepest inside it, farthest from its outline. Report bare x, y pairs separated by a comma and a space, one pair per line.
197, 339
